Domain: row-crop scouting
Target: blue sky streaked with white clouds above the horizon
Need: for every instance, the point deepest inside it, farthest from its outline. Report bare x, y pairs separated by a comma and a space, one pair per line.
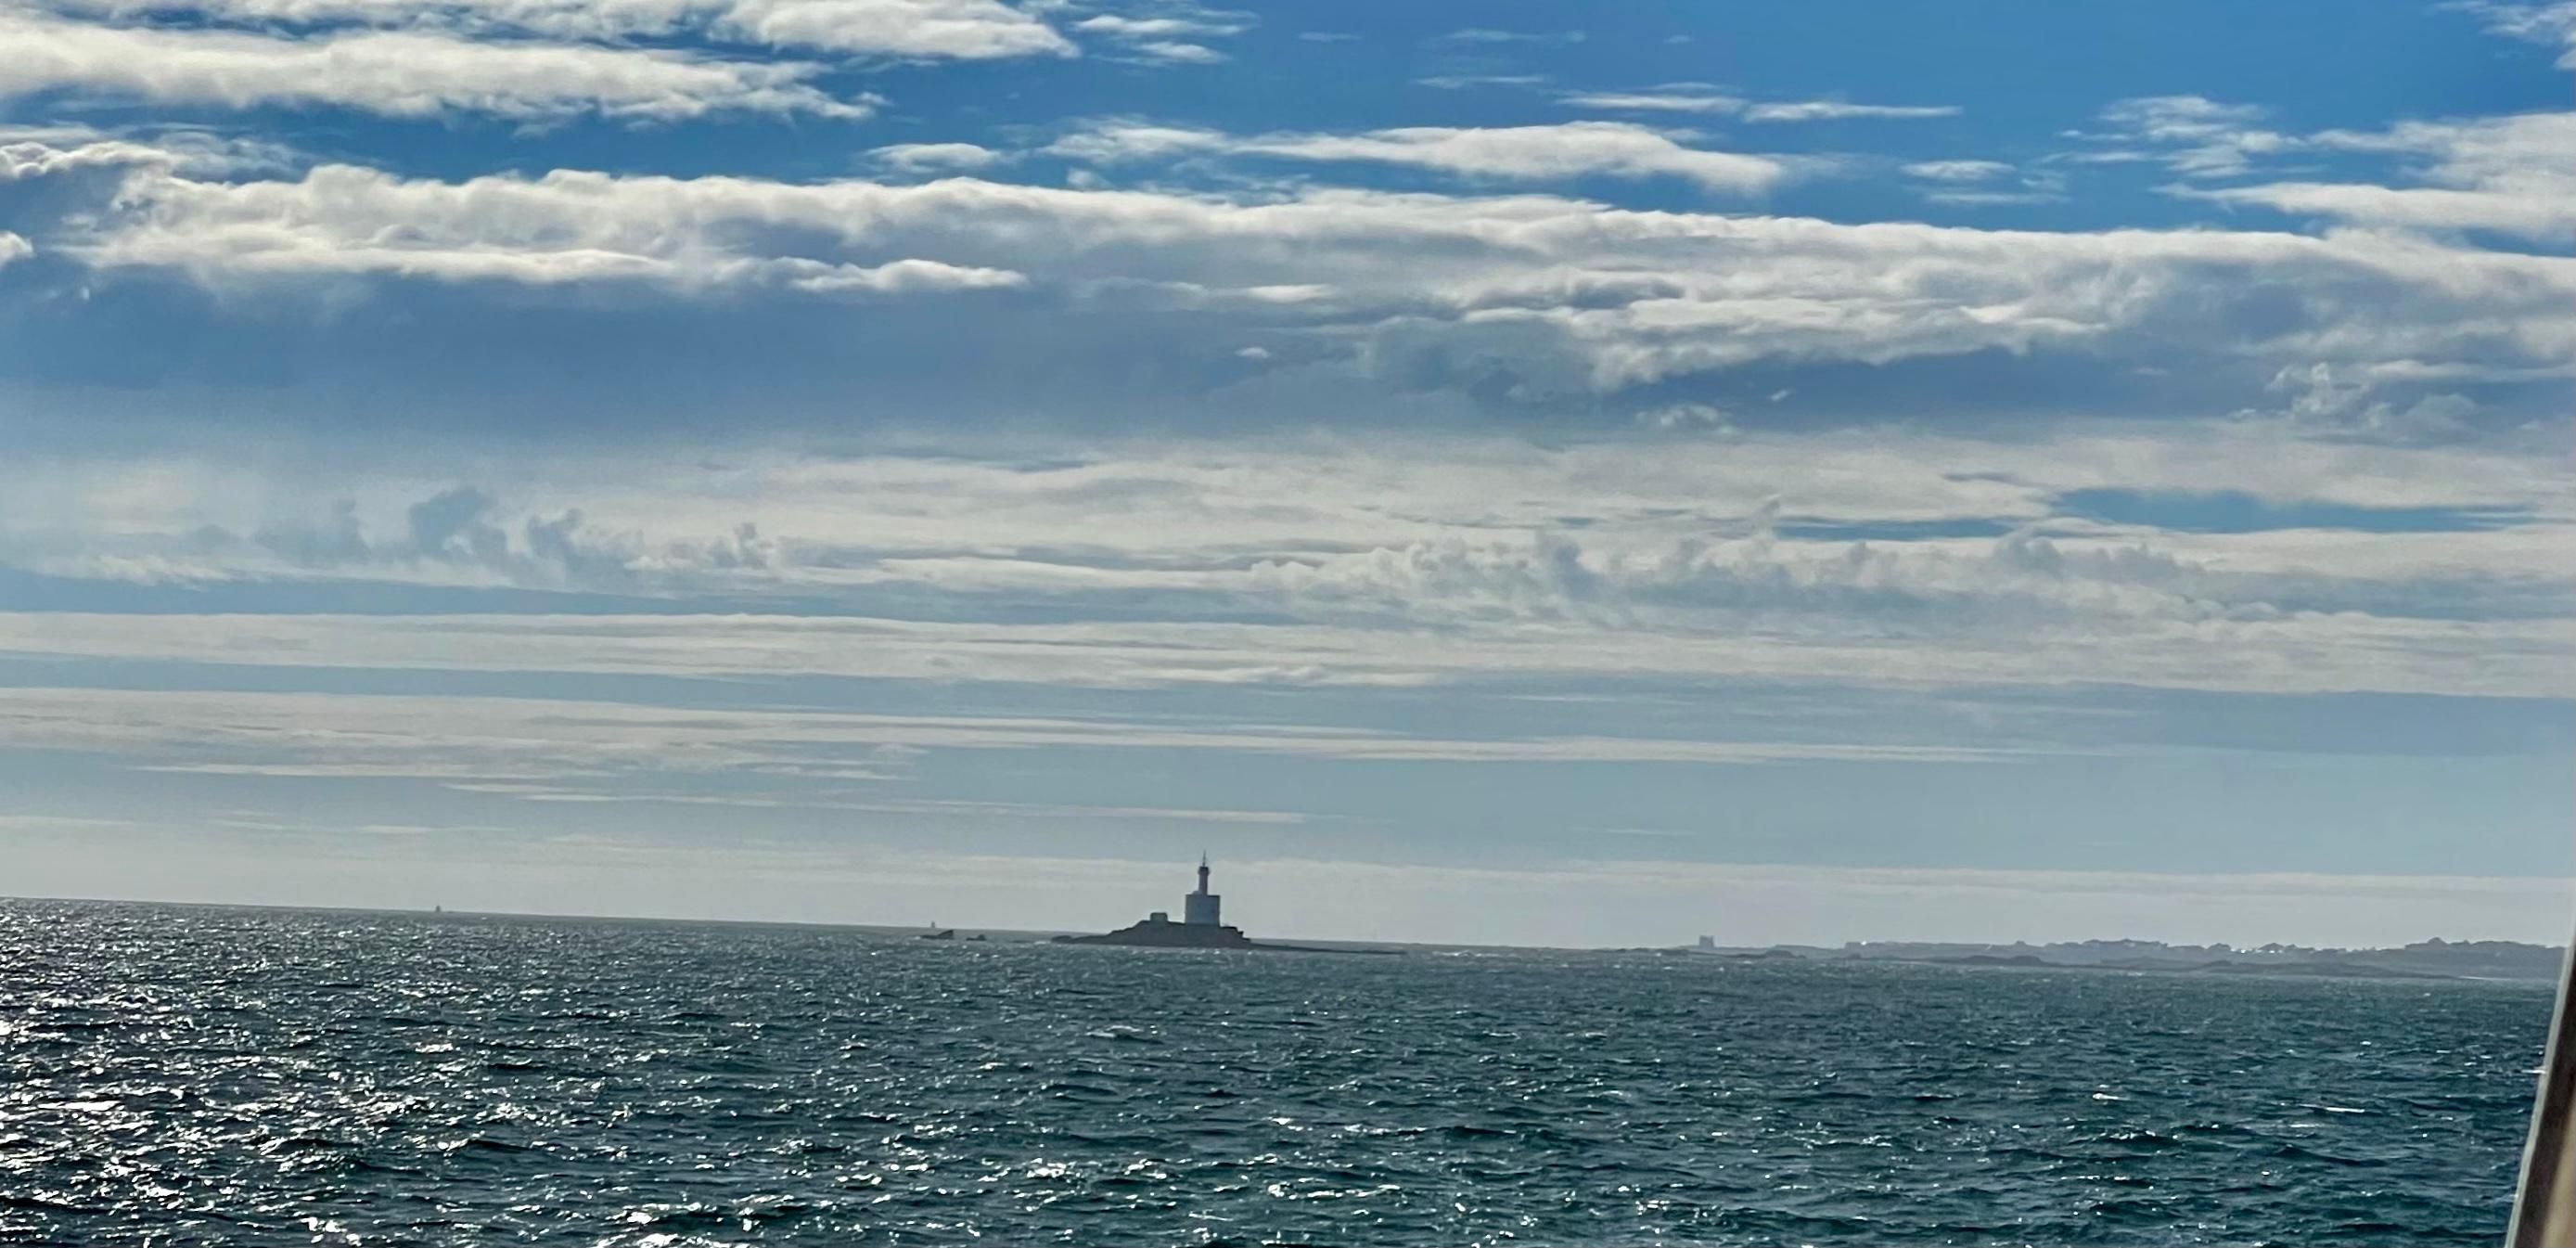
1477, 471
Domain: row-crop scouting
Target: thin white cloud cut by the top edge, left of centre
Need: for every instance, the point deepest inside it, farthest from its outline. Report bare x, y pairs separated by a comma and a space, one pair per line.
931, 30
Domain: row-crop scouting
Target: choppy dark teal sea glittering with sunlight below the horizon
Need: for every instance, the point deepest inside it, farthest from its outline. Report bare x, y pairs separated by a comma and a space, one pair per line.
292, 1077
